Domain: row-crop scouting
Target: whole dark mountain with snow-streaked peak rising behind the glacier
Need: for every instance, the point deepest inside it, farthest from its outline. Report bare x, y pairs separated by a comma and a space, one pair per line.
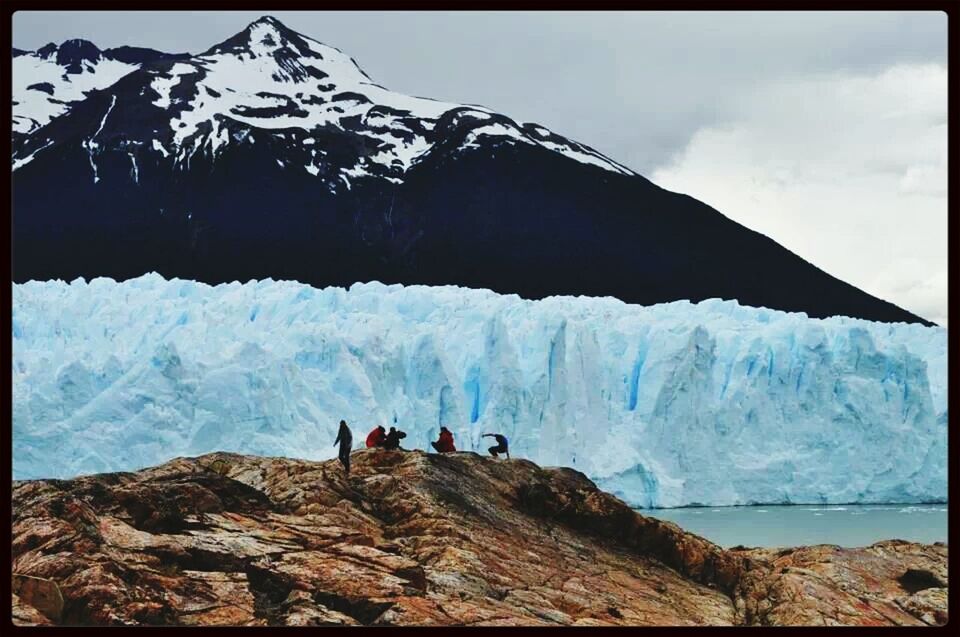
273, 155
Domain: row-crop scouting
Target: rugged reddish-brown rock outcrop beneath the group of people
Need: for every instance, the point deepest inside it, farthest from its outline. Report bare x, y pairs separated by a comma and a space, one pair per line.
411, 538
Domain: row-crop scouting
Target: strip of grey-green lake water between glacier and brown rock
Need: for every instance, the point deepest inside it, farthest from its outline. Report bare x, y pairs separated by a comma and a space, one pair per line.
845, 525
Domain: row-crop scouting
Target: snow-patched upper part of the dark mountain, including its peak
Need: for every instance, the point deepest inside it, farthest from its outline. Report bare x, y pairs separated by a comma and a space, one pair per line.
271, 79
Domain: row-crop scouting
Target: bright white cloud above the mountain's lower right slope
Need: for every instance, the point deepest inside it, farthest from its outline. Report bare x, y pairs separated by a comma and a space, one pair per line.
847, 170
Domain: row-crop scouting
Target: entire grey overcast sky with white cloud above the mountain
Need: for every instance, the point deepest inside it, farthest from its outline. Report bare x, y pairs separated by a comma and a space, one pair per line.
825, 131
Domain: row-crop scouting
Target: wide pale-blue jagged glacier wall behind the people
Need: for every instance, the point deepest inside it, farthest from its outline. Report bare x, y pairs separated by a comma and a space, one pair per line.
709, 403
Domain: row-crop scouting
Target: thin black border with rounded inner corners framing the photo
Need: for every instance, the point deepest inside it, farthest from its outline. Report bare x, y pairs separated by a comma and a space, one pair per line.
9, 7
